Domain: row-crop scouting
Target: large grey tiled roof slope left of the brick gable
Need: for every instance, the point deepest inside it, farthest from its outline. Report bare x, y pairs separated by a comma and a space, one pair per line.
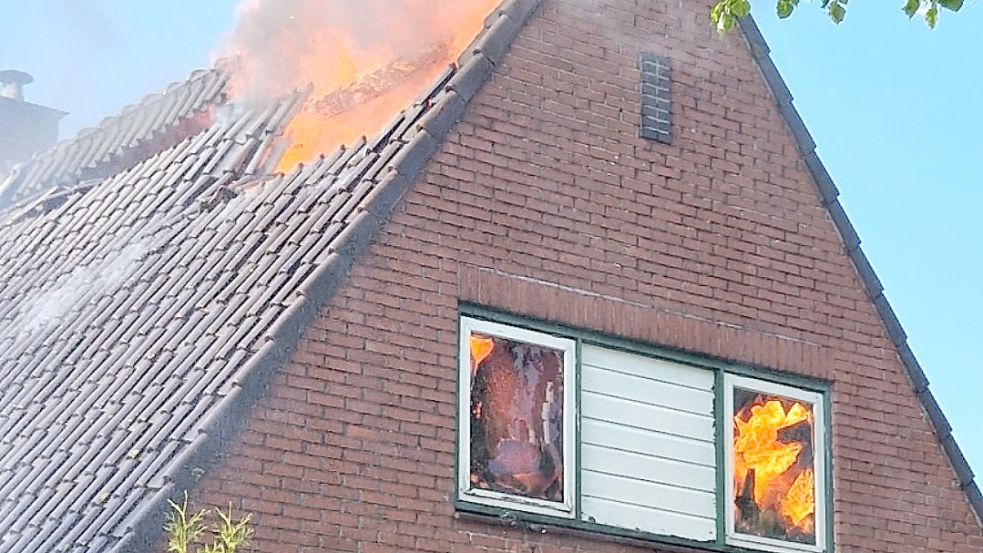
142, 313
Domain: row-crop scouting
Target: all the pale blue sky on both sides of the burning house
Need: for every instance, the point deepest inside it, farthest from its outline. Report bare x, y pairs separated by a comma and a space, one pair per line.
893, 106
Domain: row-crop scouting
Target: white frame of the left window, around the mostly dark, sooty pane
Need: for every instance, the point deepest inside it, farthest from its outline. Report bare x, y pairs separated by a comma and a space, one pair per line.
503, 500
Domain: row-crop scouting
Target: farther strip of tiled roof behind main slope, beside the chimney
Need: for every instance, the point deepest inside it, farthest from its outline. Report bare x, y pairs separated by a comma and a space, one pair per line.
158, 122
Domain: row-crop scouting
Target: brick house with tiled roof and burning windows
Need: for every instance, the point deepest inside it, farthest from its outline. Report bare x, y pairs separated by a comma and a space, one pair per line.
593, 291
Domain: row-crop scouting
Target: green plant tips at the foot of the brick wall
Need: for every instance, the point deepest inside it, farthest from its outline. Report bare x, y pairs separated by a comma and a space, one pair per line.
187, 531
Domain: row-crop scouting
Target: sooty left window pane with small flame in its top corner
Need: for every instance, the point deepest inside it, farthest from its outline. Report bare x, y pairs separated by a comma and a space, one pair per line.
516, 418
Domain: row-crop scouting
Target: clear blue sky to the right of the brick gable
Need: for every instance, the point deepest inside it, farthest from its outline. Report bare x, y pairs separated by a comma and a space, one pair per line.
894, 109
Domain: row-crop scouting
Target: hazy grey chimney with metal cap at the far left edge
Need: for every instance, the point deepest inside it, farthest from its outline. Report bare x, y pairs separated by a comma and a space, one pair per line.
25, 128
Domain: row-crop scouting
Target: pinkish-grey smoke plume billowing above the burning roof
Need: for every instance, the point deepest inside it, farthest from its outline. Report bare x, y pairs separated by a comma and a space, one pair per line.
282, 45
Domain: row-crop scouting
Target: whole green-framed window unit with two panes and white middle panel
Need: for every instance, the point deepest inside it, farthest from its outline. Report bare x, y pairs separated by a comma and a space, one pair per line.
562, 426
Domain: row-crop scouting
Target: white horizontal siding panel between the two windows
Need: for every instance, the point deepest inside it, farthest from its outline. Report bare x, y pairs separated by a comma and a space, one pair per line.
647, 444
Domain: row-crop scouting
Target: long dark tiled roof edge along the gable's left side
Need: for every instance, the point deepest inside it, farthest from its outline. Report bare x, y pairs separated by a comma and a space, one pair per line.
144, 526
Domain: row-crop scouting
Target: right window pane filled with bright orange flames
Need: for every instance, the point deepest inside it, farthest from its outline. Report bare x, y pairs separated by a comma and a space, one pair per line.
774, 473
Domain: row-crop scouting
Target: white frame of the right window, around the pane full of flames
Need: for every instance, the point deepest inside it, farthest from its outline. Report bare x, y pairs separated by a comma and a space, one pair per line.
816, 400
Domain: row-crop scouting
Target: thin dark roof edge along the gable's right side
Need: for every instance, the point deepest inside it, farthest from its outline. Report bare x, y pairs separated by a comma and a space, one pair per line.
875, 291
